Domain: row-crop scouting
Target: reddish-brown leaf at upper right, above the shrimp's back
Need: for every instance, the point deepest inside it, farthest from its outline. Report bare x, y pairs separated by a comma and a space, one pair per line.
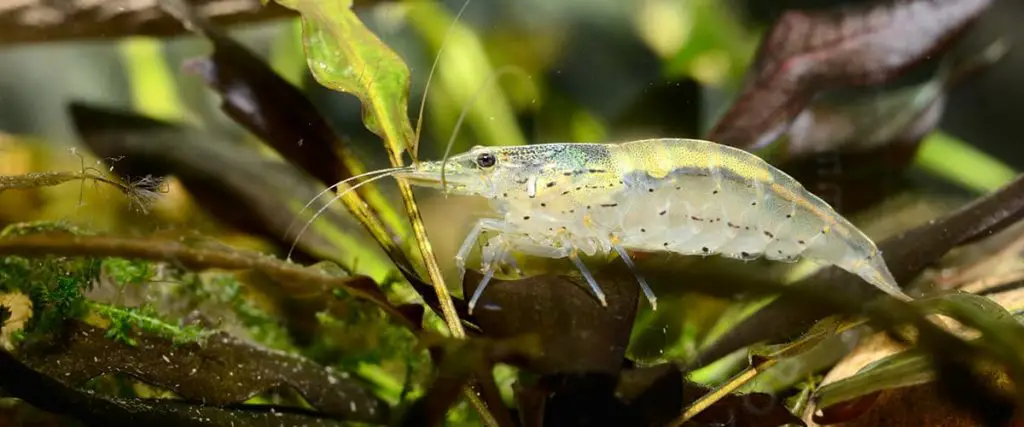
809, 52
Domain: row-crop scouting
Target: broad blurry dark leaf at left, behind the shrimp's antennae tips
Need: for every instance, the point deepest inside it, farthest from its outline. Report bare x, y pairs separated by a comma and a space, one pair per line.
234, 184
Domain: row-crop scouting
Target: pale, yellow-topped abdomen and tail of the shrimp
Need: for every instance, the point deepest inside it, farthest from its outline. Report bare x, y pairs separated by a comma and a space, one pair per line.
737, 205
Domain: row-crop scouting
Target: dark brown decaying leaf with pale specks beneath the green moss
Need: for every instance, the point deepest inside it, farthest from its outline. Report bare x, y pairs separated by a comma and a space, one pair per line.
219, 371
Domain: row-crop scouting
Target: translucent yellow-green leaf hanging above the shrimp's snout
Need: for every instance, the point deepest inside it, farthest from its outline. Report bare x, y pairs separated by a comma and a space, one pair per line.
347, 57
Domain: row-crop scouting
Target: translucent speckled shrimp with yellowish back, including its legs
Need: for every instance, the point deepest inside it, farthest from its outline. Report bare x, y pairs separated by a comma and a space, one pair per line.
688, 197
